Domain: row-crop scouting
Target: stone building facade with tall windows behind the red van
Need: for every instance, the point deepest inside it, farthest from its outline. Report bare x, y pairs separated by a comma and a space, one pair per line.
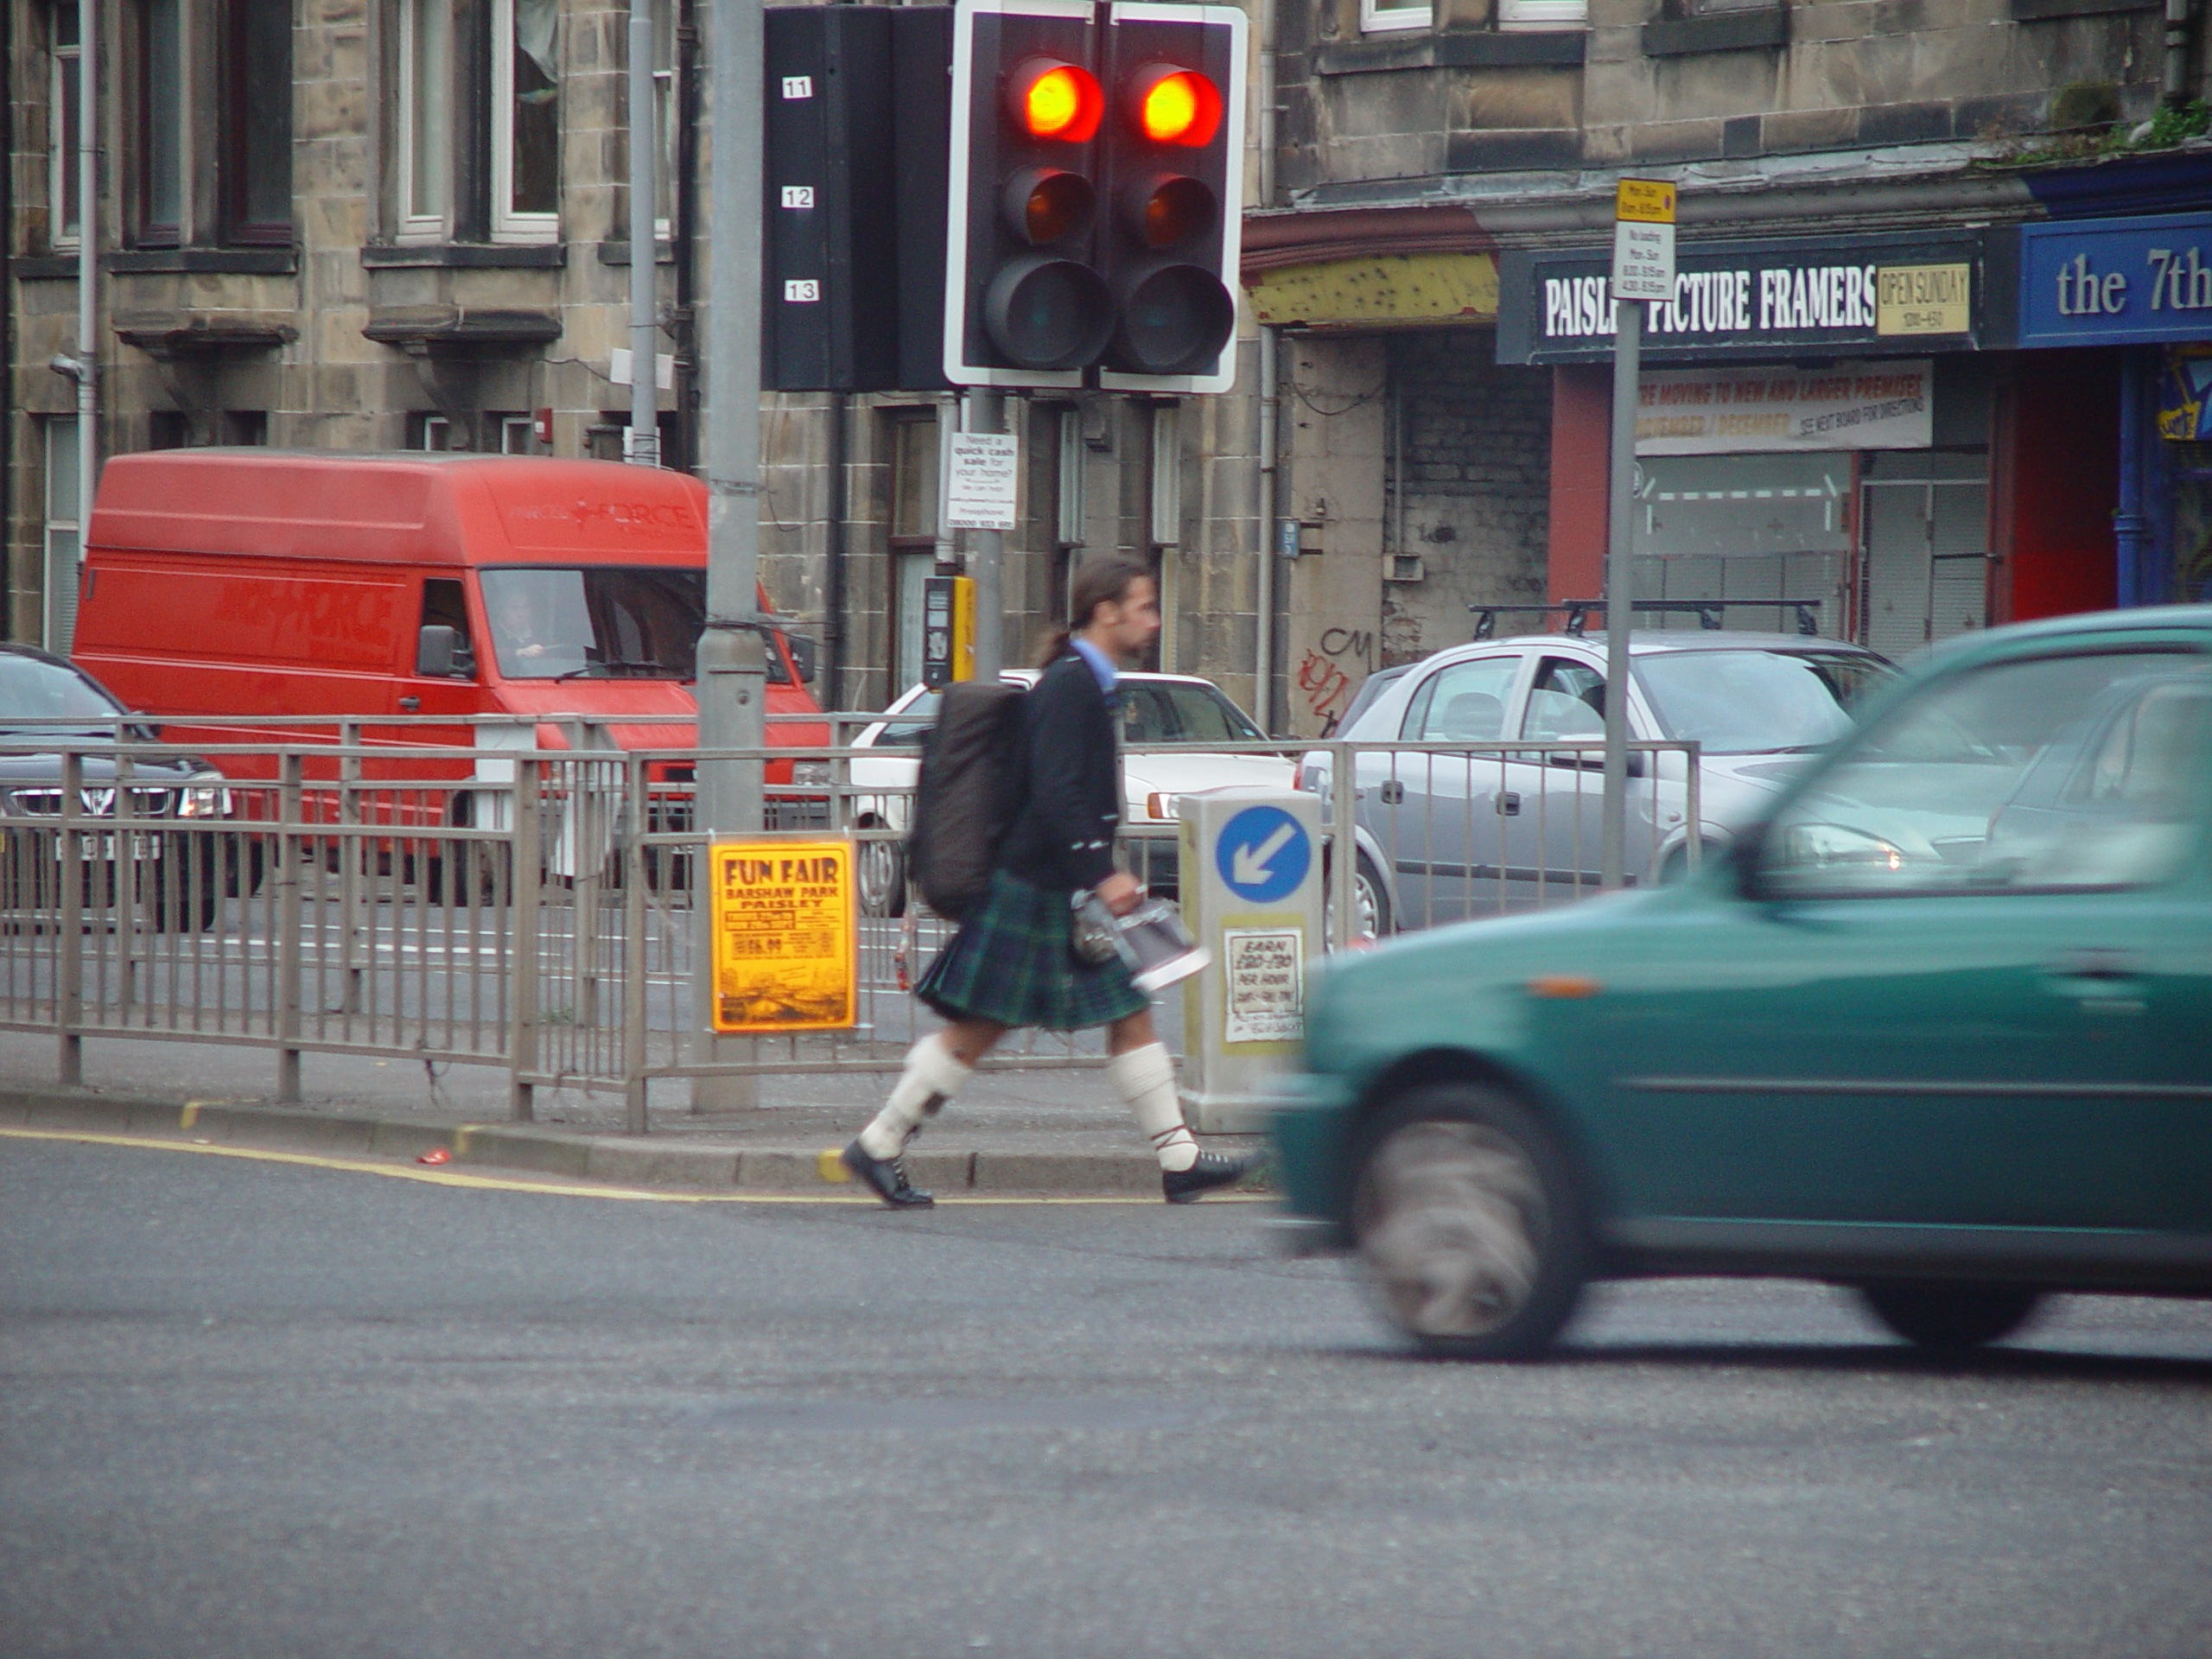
439, 258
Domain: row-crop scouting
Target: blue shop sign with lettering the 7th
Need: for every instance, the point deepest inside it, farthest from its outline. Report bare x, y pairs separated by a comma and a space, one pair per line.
2118, 282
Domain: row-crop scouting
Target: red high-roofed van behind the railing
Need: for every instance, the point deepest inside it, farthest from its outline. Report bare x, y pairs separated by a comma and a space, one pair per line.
375, 585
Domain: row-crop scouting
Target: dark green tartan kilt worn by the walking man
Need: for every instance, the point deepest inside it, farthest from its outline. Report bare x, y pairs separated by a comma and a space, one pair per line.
1012, 963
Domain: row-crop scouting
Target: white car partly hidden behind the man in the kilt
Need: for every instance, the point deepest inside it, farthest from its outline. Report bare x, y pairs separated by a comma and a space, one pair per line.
1156, 709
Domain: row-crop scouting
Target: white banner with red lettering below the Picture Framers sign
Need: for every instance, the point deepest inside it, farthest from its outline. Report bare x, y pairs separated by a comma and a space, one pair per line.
1729, 413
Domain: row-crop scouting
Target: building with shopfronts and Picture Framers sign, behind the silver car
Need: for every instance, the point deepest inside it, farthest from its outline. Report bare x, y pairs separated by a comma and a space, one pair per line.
1448, 171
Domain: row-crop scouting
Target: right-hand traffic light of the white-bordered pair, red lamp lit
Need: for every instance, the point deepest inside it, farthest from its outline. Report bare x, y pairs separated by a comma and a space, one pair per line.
1173, 176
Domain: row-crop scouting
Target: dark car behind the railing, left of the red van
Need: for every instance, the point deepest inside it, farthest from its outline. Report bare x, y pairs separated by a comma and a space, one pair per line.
134, 868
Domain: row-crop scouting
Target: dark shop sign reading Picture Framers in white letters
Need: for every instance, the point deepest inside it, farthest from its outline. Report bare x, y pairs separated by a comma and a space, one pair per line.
1753, 300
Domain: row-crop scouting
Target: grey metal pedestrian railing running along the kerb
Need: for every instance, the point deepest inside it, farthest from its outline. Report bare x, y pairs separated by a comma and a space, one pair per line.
532, 908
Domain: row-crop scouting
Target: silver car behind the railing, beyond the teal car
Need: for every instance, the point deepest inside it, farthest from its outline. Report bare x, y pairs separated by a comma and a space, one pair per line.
1454, 835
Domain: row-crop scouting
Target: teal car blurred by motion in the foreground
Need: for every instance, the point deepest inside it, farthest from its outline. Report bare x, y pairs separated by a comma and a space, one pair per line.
1939, 1027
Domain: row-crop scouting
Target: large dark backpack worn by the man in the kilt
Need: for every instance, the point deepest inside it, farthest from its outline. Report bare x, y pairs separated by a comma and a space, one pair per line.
968, 795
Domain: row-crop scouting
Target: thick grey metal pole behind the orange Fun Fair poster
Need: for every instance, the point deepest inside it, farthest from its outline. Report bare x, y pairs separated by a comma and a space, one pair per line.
733, 660
